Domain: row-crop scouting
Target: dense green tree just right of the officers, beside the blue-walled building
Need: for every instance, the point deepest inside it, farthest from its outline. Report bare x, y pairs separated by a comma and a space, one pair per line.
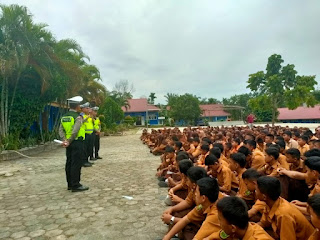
111, 111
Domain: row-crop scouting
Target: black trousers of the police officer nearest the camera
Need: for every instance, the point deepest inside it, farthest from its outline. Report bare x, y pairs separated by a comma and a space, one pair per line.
74, 163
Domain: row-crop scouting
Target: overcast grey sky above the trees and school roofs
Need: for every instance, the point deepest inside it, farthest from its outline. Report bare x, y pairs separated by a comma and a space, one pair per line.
207, 48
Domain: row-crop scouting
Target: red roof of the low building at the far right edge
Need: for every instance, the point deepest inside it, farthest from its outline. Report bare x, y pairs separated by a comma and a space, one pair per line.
299, 113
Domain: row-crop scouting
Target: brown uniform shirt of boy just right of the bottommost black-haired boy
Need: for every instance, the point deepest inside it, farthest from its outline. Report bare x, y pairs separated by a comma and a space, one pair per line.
286, 221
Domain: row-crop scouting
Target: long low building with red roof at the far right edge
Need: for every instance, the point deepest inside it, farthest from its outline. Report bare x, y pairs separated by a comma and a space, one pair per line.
300, 115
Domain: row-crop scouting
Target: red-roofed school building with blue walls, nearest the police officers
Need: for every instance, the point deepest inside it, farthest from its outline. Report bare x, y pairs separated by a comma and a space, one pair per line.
141, 110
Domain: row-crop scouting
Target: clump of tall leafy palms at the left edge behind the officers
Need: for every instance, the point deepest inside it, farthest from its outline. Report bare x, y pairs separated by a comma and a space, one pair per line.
36, 69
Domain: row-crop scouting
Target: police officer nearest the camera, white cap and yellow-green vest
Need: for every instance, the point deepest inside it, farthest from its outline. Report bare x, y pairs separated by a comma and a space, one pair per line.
72, 132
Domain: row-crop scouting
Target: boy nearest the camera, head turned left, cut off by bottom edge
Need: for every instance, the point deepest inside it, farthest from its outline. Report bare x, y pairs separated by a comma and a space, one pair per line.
234, 221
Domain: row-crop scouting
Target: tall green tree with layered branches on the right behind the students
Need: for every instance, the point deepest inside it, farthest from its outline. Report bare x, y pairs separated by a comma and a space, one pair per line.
279, 84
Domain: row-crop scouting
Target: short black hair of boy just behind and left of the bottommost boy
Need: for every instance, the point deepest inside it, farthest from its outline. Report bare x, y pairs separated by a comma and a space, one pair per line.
209, 187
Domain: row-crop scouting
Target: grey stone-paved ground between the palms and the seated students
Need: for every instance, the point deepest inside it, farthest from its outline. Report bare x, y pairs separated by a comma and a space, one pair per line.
35, 204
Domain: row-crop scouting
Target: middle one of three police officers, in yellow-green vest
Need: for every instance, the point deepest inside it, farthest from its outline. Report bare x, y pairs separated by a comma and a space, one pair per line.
88, 124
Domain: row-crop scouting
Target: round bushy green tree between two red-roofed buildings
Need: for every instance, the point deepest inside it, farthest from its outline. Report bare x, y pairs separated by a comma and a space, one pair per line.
186, 107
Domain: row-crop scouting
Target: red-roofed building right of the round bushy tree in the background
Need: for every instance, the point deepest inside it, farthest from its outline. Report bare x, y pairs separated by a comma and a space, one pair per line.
213, 113
